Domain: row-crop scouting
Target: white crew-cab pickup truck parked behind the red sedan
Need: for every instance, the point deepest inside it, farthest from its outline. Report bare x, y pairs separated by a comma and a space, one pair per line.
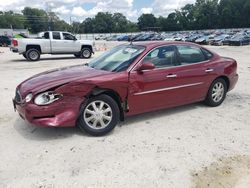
52, 42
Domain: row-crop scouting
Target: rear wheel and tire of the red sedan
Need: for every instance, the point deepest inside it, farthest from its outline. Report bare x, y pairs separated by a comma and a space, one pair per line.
217, 93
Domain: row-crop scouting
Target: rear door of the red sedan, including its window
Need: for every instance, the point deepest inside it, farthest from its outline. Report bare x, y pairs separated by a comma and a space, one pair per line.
195, 72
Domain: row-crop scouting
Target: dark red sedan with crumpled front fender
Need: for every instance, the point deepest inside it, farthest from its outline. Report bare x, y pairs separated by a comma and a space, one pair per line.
127, 80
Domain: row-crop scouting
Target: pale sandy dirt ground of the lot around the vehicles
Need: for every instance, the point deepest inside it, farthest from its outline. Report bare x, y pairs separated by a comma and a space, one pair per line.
189, 146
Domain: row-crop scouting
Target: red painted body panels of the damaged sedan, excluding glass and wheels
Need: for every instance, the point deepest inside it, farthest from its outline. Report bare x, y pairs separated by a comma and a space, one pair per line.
77, 82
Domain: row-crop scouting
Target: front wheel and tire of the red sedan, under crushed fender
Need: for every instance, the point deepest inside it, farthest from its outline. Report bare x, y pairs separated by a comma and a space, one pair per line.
95, 122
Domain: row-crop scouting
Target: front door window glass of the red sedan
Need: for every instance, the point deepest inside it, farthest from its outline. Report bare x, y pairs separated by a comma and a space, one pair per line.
161, 57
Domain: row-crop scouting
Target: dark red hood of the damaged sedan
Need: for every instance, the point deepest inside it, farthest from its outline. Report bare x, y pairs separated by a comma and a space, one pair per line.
58, 77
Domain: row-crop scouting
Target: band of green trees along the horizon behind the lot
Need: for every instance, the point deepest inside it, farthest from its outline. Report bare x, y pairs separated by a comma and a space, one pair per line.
203, 14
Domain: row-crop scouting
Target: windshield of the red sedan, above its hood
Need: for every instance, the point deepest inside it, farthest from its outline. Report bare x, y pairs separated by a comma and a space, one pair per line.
118, 59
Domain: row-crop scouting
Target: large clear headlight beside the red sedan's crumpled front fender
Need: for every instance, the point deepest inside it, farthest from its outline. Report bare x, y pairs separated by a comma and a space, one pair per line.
47, 98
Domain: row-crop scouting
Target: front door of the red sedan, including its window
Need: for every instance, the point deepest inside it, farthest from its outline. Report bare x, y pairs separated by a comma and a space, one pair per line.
151, 89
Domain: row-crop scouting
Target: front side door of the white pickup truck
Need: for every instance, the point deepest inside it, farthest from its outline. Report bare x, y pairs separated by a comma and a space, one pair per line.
70, 43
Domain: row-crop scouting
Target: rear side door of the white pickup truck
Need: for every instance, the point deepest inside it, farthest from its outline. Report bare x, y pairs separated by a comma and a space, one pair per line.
57, 43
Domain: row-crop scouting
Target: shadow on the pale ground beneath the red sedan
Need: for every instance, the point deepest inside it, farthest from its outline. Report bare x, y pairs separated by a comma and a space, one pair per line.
32, 132
